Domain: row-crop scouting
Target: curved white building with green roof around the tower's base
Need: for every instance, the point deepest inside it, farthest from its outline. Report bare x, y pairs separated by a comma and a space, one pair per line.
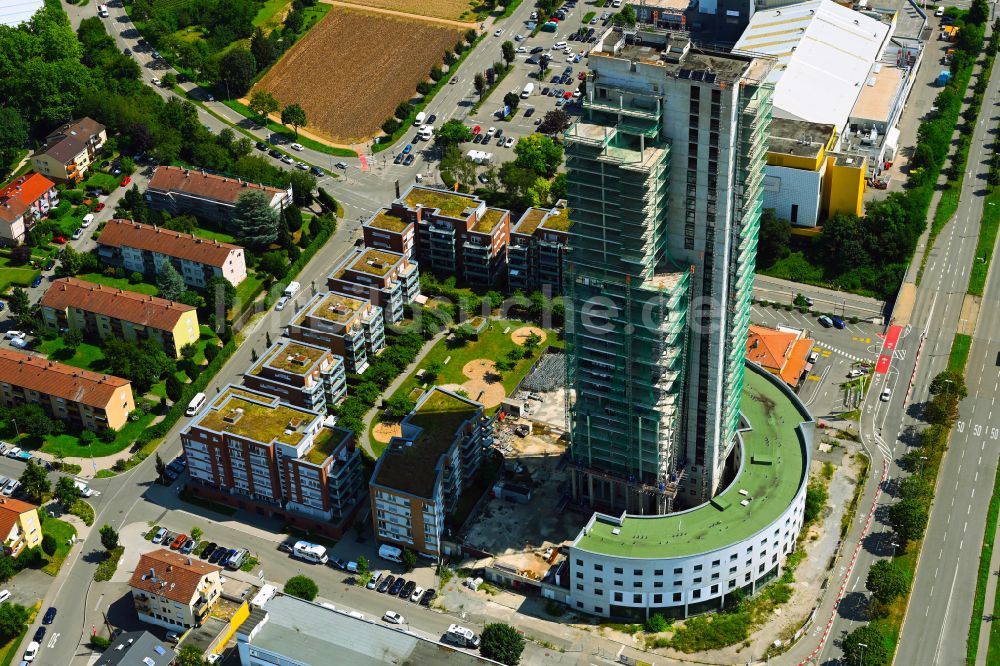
631, 566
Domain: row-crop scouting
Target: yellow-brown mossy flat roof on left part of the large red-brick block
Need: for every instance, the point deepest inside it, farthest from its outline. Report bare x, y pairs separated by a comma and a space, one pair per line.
256, 416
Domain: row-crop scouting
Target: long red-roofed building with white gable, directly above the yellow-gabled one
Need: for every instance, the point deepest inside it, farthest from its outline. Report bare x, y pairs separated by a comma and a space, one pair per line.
144, 248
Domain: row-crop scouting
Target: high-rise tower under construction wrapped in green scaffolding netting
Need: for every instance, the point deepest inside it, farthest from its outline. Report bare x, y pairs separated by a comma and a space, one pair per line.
665, 172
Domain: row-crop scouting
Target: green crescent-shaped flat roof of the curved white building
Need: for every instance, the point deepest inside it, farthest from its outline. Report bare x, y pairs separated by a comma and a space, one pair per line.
774, 468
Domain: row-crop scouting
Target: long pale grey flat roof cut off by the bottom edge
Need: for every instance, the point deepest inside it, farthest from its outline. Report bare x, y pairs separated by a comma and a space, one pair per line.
311, 633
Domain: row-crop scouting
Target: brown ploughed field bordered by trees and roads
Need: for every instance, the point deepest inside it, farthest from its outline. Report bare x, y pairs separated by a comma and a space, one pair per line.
352, 69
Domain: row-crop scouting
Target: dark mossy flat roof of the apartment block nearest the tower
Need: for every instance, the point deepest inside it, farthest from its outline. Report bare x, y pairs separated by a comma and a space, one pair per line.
409, 465
